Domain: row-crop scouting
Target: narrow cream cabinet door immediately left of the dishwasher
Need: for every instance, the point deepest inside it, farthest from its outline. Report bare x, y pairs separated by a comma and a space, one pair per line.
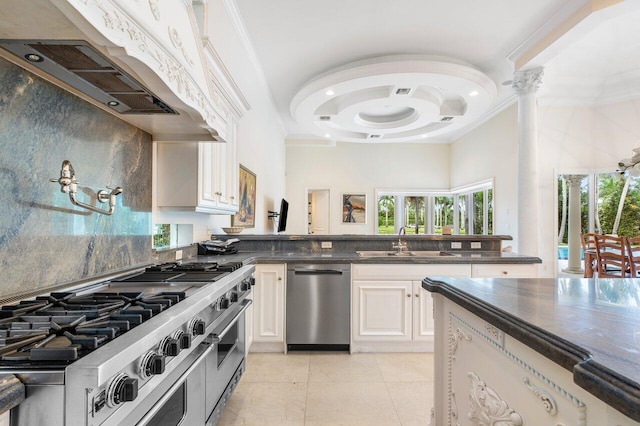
268, 302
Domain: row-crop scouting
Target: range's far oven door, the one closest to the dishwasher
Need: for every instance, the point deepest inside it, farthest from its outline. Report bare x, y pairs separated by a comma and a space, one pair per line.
223, 363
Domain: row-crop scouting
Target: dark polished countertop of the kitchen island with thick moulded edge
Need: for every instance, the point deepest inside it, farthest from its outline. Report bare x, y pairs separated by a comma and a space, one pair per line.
590, 327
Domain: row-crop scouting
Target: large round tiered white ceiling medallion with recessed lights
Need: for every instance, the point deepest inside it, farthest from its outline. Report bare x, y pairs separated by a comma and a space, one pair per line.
394, 99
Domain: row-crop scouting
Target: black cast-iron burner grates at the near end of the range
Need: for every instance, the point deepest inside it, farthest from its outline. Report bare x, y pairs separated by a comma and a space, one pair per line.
62, 327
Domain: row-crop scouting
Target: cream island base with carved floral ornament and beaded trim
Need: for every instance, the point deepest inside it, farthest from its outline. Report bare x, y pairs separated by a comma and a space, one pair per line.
484, 376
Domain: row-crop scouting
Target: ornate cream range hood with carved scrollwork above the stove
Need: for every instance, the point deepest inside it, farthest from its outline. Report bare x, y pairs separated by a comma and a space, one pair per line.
158, 45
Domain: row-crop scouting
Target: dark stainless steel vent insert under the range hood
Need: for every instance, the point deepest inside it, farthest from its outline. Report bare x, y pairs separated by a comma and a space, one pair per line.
81, 66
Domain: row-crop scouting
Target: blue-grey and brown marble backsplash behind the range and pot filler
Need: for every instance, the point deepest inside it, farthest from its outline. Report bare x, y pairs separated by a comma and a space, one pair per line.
44, 239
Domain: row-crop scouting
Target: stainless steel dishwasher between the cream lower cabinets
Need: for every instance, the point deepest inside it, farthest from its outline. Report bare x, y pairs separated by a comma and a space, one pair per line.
318, 306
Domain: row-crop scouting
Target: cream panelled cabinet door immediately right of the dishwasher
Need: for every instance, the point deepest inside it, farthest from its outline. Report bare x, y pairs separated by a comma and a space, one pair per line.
382, 310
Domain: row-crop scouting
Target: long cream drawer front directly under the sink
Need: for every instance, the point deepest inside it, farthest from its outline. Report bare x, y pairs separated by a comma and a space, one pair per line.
407, 271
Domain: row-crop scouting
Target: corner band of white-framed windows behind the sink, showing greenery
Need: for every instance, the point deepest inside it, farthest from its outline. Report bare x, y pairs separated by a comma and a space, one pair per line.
467, 210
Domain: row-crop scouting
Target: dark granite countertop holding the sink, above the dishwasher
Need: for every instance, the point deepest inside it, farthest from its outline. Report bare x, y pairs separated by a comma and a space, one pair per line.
464, 257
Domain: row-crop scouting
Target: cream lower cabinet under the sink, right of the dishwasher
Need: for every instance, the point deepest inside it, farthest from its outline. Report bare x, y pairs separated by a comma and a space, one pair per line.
390, 310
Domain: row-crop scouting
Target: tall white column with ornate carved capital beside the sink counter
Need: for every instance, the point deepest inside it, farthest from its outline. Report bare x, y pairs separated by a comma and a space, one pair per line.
526, 84
